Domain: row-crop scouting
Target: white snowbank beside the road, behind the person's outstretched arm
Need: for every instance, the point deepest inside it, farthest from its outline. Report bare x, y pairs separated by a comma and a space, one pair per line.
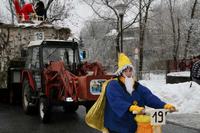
184, 97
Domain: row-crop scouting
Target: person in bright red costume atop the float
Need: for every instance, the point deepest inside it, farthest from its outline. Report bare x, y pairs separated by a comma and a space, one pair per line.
25, 11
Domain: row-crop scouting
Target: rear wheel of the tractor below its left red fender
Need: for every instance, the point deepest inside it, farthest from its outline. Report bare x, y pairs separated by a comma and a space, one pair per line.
26, 90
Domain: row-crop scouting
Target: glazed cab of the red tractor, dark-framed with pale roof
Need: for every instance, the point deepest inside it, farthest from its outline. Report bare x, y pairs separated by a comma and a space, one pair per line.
42, 53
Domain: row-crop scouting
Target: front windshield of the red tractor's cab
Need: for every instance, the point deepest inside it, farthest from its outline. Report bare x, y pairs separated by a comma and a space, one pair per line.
57, 54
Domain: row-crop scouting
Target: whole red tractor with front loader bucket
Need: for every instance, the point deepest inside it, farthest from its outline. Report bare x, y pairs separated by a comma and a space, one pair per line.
54, 75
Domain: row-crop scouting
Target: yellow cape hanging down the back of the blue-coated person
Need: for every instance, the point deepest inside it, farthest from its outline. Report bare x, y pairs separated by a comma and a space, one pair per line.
95, 116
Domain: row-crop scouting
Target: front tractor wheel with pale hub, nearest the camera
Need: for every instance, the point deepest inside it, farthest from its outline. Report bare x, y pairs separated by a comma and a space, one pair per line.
44, 110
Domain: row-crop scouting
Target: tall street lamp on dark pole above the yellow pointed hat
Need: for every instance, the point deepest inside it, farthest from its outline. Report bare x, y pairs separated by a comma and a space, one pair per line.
121, 8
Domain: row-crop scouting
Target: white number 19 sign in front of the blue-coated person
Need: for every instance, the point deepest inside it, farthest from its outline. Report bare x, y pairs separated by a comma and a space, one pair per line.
158, 117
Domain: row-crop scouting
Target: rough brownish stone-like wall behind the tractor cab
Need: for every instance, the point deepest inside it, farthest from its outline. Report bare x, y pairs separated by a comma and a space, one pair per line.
15, 38
